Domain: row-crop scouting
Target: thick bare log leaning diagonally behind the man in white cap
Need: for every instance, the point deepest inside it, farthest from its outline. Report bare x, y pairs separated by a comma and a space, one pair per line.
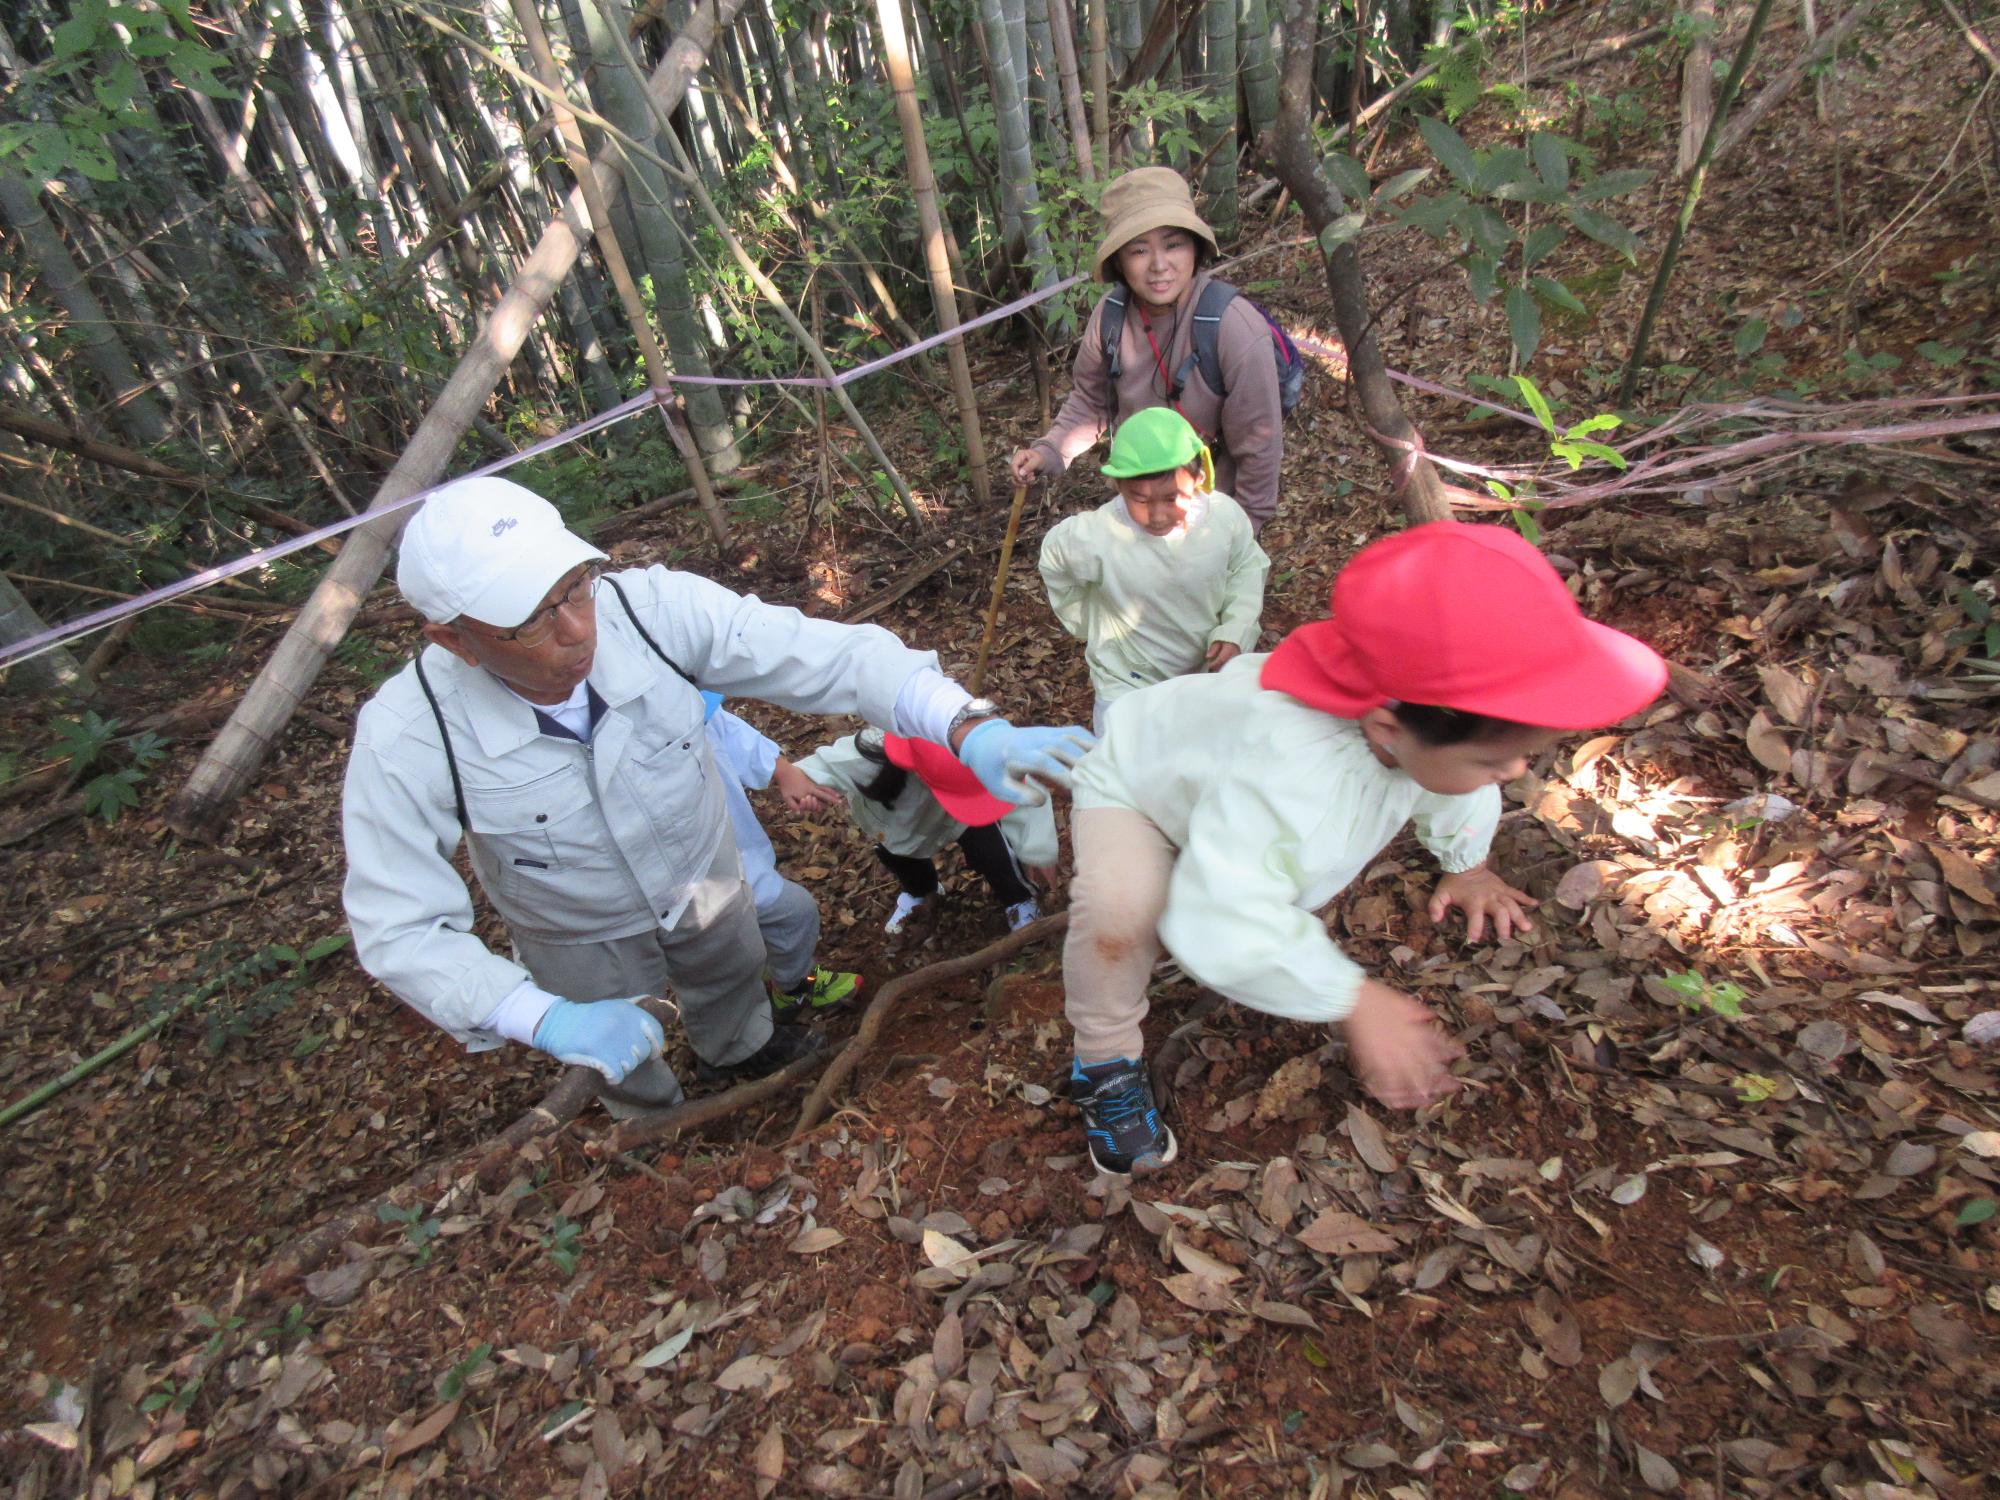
269, 705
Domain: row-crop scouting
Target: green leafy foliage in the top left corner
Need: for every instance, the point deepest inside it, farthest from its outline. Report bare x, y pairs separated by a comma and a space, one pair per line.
69, 107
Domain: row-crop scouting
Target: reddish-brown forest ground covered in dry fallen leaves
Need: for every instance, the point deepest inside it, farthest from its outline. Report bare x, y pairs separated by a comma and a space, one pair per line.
1711, 1215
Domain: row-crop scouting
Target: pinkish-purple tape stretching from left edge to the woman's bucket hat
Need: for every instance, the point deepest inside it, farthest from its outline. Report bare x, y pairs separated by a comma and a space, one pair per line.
223, 571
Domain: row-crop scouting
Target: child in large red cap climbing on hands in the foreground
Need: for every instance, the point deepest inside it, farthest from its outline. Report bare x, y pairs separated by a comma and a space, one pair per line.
1221, 813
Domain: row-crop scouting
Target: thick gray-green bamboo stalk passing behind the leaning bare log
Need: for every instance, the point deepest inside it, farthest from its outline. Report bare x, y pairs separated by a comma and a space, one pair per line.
655, 209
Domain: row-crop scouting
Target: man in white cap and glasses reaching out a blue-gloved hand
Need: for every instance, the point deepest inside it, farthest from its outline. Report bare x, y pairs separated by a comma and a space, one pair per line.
557, 727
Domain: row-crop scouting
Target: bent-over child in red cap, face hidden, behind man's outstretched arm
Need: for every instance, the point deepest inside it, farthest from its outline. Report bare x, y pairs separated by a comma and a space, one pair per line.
915, 797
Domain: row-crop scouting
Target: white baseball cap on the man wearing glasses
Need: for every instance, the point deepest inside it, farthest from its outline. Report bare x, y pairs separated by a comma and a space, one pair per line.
489, 551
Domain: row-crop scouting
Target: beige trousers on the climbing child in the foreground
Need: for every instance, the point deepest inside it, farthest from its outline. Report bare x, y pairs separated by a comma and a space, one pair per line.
1117, 897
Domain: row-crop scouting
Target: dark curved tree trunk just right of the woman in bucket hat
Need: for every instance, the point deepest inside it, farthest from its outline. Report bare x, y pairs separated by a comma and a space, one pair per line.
1299, 167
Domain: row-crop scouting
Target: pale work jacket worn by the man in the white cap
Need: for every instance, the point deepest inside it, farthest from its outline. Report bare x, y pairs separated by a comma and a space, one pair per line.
573, 843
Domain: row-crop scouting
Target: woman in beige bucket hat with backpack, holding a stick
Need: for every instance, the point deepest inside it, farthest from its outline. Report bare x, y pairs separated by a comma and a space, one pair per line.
1155, 255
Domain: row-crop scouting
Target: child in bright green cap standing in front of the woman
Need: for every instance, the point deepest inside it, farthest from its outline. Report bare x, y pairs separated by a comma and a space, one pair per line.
1167, 577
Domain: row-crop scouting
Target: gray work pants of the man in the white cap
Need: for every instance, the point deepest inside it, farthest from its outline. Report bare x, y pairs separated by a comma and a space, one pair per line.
713, 961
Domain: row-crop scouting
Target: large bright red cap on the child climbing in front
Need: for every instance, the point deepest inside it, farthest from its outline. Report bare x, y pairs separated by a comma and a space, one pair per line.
1471, 619
